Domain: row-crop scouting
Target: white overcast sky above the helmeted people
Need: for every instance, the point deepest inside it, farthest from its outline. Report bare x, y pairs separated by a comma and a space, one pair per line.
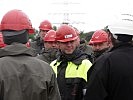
86, 15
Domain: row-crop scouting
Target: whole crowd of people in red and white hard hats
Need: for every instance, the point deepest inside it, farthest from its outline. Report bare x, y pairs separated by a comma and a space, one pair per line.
65, 67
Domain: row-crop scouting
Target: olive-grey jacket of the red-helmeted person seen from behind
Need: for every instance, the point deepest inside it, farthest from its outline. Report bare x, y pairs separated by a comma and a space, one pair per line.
23, 77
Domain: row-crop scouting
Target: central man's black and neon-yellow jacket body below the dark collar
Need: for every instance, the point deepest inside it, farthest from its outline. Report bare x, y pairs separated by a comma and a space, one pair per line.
72, 80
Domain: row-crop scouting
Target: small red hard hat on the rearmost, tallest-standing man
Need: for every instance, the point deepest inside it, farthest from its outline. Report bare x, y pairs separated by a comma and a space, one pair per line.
45, 25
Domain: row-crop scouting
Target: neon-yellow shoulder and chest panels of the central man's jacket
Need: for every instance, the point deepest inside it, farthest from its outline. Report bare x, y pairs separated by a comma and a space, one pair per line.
72, 71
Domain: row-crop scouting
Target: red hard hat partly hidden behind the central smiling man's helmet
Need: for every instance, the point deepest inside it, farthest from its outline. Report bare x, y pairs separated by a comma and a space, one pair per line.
50, 36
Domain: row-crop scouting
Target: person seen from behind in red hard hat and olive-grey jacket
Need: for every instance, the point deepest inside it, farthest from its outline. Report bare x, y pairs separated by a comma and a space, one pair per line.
22, 76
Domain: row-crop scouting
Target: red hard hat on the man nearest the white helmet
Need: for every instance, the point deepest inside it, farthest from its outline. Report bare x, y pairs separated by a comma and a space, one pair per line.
99, 36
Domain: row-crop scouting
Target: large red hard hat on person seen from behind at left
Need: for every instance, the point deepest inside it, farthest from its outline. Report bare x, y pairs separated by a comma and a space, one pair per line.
16, 20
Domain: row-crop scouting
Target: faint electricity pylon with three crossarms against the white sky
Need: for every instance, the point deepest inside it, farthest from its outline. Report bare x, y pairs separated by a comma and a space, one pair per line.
66, 14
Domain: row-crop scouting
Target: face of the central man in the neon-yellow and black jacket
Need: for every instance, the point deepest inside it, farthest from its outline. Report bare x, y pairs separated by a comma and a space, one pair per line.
68, 47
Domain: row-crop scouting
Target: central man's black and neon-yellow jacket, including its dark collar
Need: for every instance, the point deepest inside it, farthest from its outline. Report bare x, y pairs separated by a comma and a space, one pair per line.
71, 71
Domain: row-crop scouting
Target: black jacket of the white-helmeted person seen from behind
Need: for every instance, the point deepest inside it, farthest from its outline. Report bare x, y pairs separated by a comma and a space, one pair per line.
111, 76
